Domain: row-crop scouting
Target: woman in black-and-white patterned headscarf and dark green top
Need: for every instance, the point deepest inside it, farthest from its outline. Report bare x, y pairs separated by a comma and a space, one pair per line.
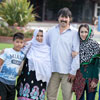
87, 75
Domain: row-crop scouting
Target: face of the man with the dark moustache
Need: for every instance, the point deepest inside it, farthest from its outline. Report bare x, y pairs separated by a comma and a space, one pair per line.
64, 21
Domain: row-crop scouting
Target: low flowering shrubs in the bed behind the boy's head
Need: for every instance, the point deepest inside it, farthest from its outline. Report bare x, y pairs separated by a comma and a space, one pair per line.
9, 31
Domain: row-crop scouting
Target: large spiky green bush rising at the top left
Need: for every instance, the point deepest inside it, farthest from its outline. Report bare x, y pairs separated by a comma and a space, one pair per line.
17, 11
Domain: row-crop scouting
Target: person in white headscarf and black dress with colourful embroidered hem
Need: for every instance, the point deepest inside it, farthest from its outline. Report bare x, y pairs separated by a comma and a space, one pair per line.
36, 71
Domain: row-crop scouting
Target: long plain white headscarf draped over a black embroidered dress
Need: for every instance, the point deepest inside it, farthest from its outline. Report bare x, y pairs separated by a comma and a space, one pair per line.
39, 58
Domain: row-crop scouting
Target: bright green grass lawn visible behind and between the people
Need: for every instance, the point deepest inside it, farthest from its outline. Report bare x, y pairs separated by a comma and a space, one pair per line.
3, 45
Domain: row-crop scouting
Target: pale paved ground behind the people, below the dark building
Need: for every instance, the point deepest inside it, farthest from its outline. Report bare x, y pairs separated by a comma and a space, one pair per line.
46, 25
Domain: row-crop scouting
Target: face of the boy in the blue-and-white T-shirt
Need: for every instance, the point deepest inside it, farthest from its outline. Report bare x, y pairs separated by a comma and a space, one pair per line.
18, 44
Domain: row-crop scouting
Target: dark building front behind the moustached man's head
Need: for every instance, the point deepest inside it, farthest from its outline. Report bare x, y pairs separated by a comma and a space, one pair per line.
82, 10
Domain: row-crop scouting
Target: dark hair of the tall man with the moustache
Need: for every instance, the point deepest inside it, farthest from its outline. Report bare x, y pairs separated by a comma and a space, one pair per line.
65, 12
